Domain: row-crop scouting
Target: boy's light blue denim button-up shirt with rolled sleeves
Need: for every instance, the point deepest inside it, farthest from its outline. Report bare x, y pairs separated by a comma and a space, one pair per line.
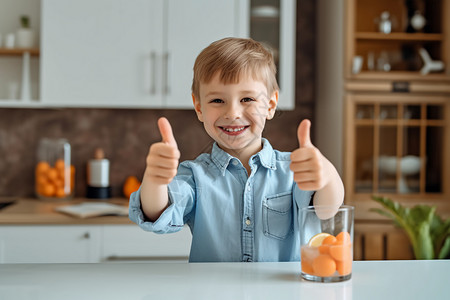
232, 216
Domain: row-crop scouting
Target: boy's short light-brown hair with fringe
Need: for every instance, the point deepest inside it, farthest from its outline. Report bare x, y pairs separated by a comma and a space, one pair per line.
233, 57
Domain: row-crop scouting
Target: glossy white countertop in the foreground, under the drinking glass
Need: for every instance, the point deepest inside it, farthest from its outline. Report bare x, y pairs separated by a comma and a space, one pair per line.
371, 280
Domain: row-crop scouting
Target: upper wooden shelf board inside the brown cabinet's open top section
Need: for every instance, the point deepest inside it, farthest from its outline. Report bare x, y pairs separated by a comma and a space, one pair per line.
400, 36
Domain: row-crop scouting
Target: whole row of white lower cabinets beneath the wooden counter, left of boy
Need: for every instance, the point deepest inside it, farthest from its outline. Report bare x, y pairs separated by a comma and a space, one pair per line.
90, 244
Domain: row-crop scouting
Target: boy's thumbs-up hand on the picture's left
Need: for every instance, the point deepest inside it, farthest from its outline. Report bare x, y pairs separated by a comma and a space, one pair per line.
162, 159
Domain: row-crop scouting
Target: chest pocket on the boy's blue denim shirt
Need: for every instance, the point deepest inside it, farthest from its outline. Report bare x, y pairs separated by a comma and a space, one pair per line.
278, 215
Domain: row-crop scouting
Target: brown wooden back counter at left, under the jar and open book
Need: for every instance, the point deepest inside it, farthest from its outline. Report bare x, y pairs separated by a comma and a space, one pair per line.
25, 211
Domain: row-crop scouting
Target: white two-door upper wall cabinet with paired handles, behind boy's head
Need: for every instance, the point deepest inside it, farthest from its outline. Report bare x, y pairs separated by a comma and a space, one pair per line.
116, 53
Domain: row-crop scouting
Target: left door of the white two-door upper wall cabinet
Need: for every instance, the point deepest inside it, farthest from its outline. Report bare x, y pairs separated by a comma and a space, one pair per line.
101, 53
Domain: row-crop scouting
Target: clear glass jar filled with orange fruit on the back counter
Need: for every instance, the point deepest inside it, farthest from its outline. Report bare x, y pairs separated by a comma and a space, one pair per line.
55, 176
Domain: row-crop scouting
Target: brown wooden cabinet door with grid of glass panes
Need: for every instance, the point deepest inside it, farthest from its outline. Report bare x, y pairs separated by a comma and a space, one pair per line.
397, 145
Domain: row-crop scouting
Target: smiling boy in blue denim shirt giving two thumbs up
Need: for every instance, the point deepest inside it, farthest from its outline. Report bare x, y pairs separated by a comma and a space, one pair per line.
241, 201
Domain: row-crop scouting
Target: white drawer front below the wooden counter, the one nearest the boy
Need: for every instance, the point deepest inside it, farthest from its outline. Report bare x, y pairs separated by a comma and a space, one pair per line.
130, 242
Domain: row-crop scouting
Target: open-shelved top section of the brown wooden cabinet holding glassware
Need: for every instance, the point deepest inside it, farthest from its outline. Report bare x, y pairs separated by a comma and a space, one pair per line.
395, 54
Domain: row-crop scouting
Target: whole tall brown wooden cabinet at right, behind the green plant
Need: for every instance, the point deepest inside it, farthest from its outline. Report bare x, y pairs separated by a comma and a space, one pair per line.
397, 117
